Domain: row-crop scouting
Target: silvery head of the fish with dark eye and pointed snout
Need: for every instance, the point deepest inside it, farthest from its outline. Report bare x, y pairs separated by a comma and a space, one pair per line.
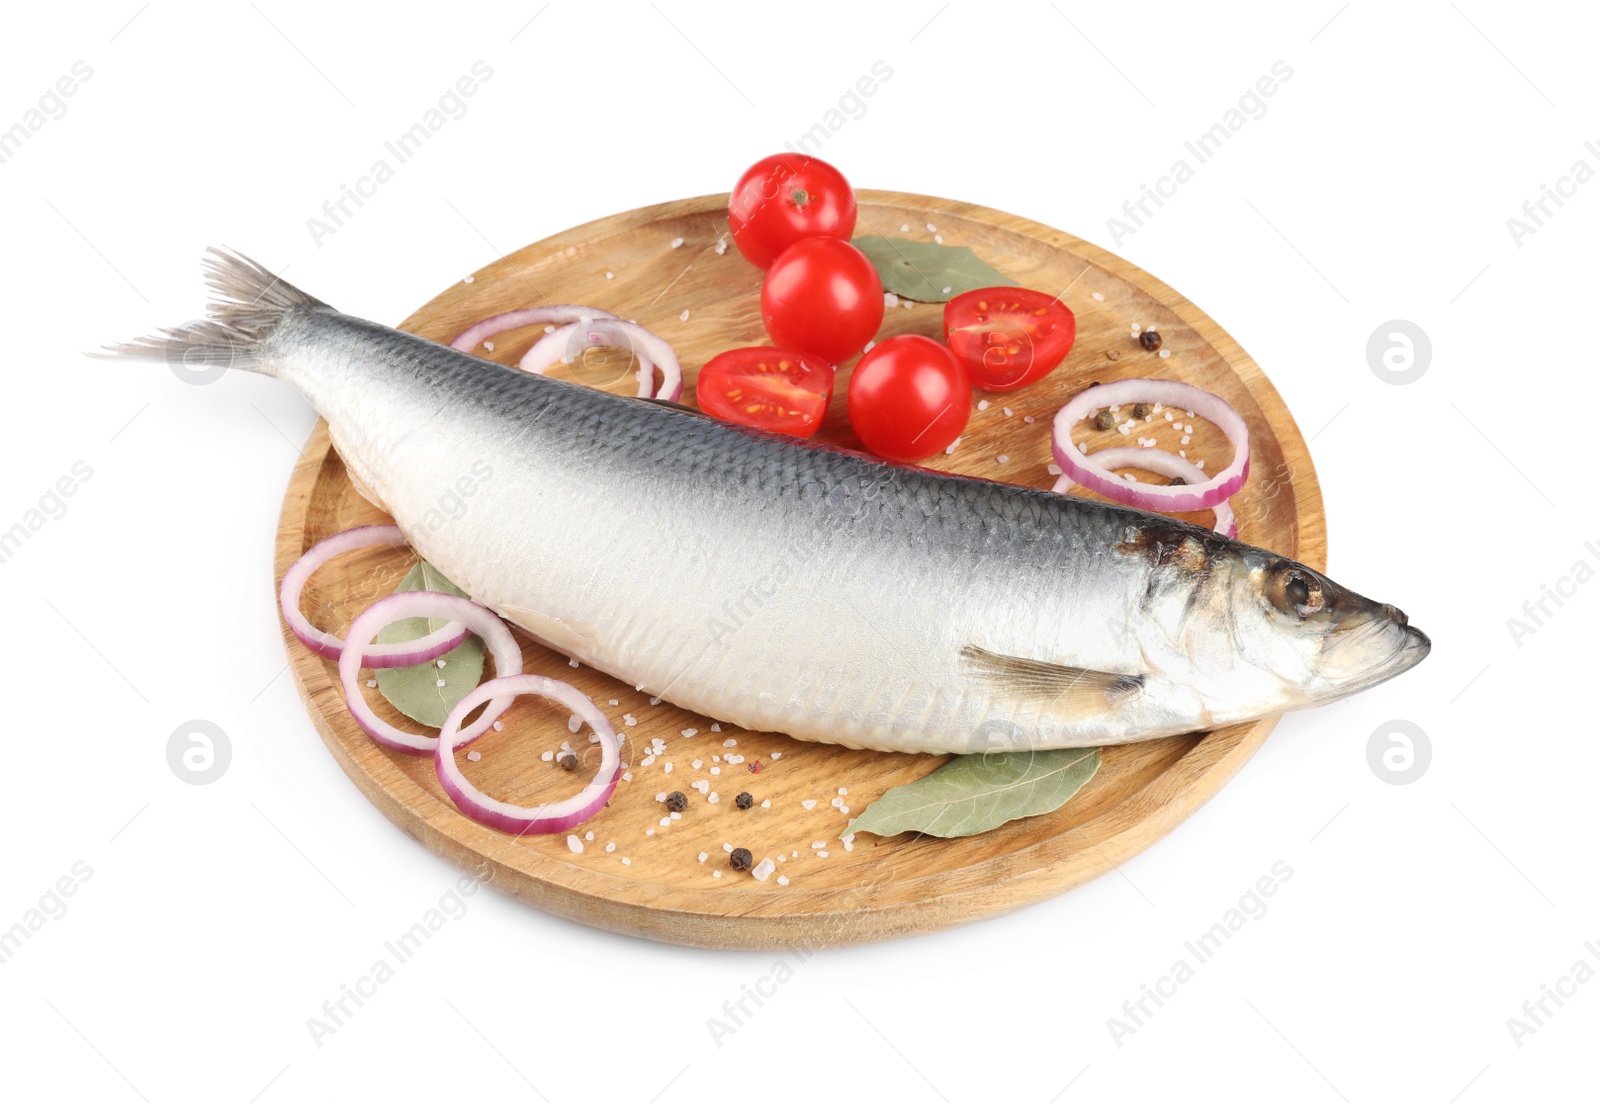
1321, 641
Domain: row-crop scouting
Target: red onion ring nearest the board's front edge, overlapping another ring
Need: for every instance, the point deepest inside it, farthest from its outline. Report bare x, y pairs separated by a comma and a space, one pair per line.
548, 818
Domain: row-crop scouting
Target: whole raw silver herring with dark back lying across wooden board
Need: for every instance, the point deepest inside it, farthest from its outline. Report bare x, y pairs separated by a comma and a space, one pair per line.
790, 586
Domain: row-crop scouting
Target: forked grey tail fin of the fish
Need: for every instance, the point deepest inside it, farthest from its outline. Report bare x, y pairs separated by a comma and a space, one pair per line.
247, 303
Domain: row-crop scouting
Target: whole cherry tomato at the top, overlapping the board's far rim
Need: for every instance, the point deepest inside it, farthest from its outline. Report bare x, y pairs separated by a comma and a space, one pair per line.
788, 198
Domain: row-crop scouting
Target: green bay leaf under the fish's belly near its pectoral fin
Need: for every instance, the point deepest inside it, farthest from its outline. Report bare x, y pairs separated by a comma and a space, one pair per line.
978, 793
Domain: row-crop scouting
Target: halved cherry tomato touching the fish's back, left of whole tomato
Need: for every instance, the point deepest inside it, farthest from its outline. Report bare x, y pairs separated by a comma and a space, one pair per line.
767, 388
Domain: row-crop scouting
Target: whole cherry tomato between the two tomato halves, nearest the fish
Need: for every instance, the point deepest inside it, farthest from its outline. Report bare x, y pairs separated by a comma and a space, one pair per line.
910, 398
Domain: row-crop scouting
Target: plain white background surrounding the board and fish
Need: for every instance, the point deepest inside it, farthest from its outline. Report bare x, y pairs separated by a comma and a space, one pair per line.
220, 919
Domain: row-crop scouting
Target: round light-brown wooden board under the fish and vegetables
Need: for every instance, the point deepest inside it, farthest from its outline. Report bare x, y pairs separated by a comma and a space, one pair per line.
881, 889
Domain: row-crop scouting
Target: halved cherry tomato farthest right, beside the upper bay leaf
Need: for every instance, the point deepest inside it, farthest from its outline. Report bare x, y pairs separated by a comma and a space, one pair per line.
1009, 337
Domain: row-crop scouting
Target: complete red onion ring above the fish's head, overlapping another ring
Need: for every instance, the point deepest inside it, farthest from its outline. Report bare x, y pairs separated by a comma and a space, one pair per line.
1153, 498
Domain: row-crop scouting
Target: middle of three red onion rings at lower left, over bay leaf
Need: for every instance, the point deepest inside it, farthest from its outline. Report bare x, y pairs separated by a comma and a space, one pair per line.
428, 605
